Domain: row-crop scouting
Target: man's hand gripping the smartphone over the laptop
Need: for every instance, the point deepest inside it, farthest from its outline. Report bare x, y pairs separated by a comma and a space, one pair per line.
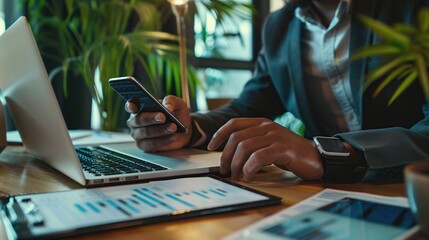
150, 131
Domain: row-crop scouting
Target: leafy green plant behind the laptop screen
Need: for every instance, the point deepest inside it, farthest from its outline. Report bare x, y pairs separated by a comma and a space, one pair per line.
99, 39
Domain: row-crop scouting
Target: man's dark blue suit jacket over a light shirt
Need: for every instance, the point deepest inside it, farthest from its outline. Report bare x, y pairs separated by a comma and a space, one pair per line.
393, 135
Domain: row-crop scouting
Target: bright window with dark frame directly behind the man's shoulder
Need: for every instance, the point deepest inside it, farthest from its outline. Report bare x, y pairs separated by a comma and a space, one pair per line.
224, 61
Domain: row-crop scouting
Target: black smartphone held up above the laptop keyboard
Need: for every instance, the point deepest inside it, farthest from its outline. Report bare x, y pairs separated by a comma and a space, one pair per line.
133, 91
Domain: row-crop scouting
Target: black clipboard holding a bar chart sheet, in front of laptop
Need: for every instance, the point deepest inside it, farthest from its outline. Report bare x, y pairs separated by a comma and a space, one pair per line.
80, 211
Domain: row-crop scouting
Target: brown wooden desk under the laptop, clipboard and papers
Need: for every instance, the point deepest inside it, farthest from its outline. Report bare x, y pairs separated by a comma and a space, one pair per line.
20, 174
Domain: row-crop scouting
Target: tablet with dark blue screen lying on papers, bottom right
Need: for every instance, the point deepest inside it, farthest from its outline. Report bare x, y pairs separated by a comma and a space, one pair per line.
347, 218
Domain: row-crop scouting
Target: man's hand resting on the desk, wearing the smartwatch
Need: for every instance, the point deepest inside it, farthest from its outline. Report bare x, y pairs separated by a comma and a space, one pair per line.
253, 143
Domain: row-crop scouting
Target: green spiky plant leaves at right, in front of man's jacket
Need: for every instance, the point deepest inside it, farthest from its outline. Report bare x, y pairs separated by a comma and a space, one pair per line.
407, 48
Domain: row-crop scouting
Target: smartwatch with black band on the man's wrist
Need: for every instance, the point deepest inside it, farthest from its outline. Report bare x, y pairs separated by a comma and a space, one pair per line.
338, 166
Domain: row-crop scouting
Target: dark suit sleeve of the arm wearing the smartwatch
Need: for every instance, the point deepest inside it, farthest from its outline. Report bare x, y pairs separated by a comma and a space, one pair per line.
387, 150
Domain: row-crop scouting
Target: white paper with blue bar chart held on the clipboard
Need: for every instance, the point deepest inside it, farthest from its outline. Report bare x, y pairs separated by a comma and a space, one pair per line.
98, 206
